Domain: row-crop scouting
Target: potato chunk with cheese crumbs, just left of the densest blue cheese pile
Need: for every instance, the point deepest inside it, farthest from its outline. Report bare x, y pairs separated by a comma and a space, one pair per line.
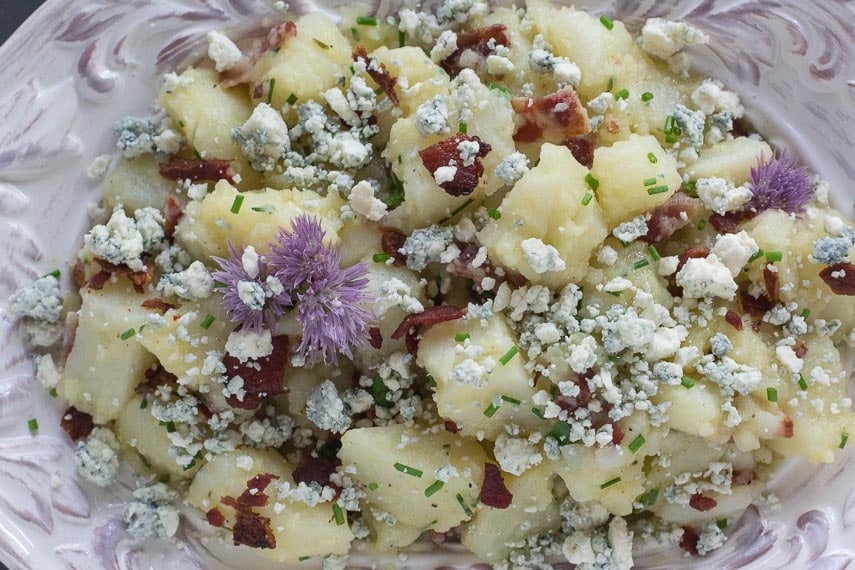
465, 403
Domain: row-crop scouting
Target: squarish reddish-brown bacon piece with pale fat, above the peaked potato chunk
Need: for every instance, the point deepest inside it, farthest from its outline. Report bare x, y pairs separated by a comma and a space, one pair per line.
554, 118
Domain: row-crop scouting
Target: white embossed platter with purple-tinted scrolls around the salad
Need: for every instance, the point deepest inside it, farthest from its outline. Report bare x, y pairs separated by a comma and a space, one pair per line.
77, 65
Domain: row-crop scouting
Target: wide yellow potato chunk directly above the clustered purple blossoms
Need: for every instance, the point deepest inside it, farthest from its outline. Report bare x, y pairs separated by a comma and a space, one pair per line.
208, 225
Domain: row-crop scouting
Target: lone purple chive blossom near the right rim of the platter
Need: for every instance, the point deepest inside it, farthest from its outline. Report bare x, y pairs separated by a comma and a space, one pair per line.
779, 184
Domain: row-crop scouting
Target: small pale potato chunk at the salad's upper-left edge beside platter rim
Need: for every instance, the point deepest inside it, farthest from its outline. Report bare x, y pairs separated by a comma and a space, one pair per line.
136, 184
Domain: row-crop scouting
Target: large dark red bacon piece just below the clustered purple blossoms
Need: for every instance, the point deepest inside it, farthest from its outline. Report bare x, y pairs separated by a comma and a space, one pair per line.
263, 378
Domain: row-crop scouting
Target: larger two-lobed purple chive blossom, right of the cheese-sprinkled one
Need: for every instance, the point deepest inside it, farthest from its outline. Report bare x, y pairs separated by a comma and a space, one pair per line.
328, 297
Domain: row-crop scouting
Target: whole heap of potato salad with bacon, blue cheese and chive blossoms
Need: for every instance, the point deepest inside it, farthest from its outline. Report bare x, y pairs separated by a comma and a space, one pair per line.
515, 279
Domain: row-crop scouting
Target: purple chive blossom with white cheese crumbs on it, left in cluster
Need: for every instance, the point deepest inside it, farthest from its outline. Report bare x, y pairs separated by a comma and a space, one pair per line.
252, 295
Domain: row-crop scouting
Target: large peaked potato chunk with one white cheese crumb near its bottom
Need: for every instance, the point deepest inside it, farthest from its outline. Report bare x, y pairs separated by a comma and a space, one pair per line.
546, 204
